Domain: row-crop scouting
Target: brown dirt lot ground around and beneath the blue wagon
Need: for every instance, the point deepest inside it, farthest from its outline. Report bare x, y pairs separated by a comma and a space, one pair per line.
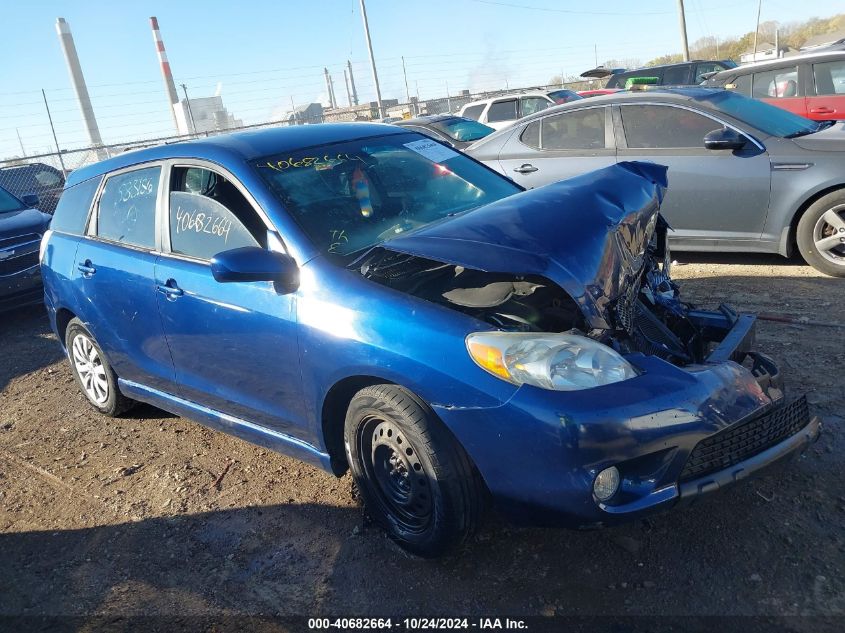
101, 516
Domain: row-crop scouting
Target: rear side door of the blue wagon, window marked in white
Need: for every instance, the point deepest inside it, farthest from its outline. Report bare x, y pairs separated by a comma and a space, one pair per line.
114, 274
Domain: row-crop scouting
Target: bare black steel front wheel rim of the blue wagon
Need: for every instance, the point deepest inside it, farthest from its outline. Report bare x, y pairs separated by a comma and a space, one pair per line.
402, 488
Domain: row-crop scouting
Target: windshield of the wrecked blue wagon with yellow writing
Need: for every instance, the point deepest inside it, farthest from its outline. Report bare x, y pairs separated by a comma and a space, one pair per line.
351, 196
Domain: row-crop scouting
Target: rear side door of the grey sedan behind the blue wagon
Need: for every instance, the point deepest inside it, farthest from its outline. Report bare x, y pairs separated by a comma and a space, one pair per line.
559, 146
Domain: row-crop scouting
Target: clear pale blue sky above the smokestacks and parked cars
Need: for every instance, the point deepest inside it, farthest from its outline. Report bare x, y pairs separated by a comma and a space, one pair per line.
262, 54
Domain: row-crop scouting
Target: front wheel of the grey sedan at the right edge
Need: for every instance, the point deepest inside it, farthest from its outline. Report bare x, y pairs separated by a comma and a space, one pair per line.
811, 227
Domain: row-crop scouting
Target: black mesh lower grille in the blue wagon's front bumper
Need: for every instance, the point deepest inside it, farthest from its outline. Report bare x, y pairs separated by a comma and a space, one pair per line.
741, 441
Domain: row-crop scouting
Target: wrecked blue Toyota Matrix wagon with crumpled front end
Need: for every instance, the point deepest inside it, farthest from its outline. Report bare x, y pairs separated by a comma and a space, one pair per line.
363, 297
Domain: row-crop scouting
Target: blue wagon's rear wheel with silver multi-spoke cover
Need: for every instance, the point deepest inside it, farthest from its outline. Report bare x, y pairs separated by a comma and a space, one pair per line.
92, 371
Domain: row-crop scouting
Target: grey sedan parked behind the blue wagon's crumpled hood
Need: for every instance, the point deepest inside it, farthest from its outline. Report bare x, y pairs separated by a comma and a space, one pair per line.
745, 176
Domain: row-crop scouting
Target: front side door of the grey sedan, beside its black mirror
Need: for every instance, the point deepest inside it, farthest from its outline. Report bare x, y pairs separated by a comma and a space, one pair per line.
713, 194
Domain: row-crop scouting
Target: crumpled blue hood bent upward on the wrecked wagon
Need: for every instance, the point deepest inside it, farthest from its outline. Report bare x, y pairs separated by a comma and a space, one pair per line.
587, 234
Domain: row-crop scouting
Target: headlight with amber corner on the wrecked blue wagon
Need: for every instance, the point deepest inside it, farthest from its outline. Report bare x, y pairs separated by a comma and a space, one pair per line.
562, 362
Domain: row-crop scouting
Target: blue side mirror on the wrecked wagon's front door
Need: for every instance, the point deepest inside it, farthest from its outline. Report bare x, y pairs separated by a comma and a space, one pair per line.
252, 263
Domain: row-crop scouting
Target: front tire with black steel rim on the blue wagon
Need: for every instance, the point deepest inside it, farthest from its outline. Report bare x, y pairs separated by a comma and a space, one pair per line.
415, 479
